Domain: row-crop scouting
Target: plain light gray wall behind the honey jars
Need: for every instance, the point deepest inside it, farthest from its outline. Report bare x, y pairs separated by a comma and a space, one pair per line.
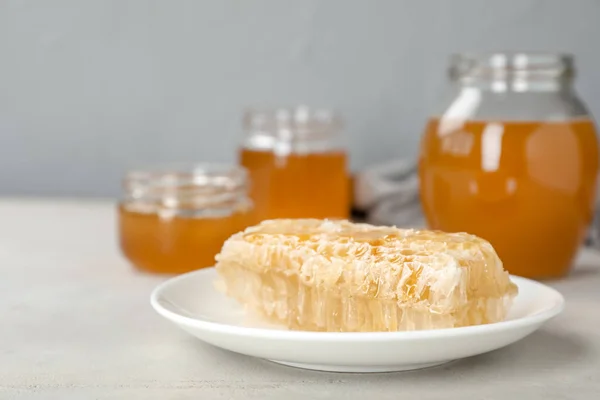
88, 88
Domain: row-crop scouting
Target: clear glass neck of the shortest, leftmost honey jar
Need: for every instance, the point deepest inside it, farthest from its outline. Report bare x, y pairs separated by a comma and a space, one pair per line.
208, 190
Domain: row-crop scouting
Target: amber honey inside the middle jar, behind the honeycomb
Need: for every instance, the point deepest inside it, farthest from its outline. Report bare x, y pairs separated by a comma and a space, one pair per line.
312, 185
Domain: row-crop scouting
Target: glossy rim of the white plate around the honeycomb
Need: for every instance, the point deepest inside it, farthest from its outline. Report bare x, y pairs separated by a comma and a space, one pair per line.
282, 334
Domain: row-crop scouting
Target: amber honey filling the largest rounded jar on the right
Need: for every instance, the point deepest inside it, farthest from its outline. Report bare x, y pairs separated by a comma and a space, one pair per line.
527, 187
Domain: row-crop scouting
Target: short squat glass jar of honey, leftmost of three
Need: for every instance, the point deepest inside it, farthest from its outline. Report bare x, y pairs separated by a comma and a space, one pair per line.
175, 219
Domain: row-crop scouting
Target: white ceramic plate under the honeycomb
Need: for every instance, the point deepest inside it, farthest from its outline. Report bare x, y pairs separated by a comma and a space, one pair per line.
192, 302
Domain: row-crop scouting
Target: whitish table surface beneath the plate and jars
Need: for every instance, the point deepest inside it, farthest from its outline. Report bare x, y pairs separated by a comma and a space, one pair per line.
76, 324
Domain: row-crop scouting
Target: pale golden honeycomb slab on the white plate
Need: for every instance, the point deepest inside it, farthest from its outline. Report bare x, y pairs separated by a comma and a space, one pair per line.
339, 276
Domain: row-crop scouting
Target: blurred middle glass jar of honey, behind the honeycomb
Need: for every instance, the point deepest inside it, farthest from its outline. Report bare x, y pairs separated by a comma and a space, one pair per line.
297, 163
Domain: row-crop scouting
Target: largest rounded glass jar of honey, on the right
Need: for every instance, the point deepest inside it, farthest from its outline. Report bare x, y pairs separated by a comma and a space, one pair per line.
512, 156
